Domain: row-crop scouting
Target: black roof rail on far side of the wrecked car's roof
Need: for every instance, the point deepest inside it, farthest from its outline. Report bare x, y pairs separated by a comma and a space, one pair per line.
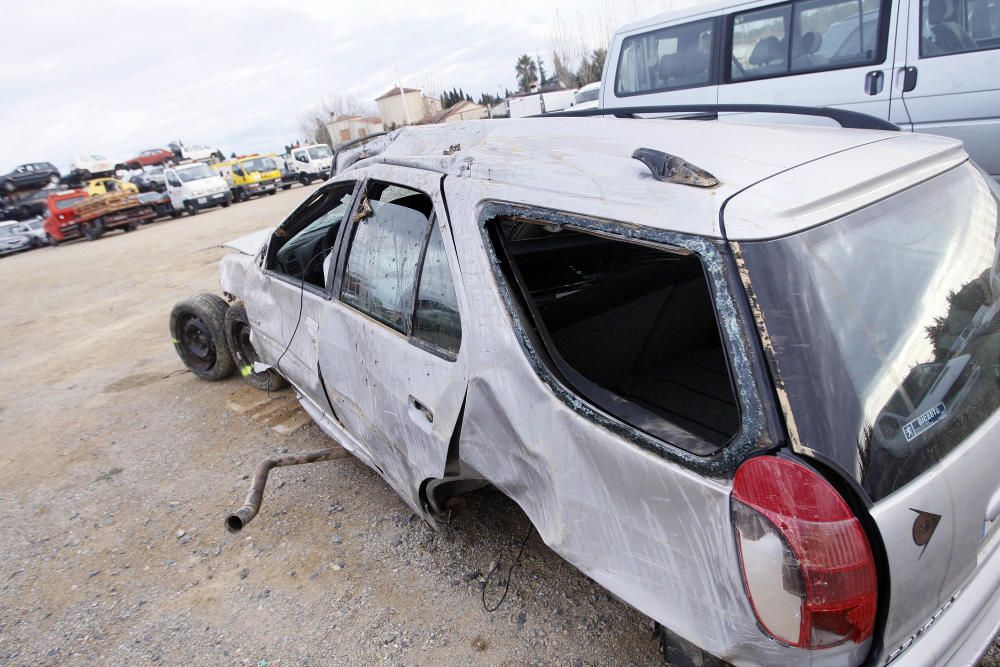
848, 119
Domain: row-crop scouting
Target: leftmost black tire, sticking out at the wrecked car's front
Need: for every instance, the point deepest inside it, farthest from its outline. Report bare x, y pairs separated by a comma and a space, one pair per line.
197, 328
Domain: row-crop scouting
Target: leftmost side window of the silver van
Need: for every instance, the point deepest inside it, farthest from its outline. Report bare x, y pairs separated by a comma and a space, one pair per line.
667, 59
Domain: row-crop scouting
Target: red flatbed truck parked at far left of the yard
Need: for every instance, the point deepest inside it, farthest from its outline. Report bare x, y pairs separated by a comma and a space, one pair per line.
74, 214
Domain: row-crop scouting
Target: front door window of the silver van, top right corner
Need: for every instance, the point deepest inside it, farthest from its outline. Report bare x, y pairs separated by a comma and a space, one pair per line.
957, 26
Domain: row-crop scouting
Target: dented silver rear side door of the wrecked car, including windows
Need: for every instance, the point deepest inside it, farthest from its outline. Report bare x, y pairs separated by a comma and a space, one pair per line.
390, 342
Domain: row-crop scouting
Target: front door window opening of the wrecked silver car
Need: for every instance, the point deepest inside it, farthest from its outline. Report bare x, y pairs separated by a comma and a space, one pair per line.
299, 246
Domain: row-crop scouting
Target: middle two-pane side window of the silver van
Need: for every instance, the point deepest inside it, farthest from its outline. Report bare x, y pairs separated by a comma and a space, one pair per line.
804, 36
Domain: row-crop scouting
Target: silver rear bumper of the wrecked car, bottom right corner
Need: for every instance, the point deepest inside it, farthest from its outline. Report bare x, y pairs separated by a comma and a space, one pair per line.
964, 629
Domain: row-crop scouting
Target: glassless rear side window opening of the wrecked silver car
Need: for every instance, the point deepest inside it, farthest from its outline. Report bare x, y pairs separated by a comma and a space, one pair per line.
630, 328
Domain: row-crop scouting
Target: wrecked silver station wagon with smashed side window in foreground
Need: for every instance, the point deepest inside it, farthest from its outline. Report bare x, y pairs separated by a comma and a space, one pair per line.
745, 377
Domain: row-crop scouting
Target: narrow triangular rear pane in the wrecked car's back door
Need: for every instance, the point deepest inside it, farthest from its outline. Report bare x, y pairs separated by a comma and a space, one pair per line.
436, 320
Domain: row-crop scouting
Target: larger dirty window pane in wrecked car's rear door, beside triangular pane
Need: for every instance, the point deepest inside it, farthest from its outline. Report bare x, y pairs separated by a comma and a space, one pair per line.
391, 227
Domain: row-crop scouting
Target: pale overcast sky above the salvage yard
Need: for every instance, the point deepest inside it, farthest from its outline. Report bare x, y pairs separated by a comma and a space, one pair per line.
118, 77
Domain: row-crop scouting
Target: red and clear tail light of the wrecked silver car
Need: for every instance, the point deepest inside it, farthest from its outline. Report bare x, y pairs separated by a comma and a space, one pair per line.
807, 564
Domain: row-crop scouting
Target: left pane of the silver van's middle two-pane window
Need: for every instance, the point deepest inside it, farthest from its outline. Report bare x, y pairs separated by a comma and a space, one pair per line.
759, 44
